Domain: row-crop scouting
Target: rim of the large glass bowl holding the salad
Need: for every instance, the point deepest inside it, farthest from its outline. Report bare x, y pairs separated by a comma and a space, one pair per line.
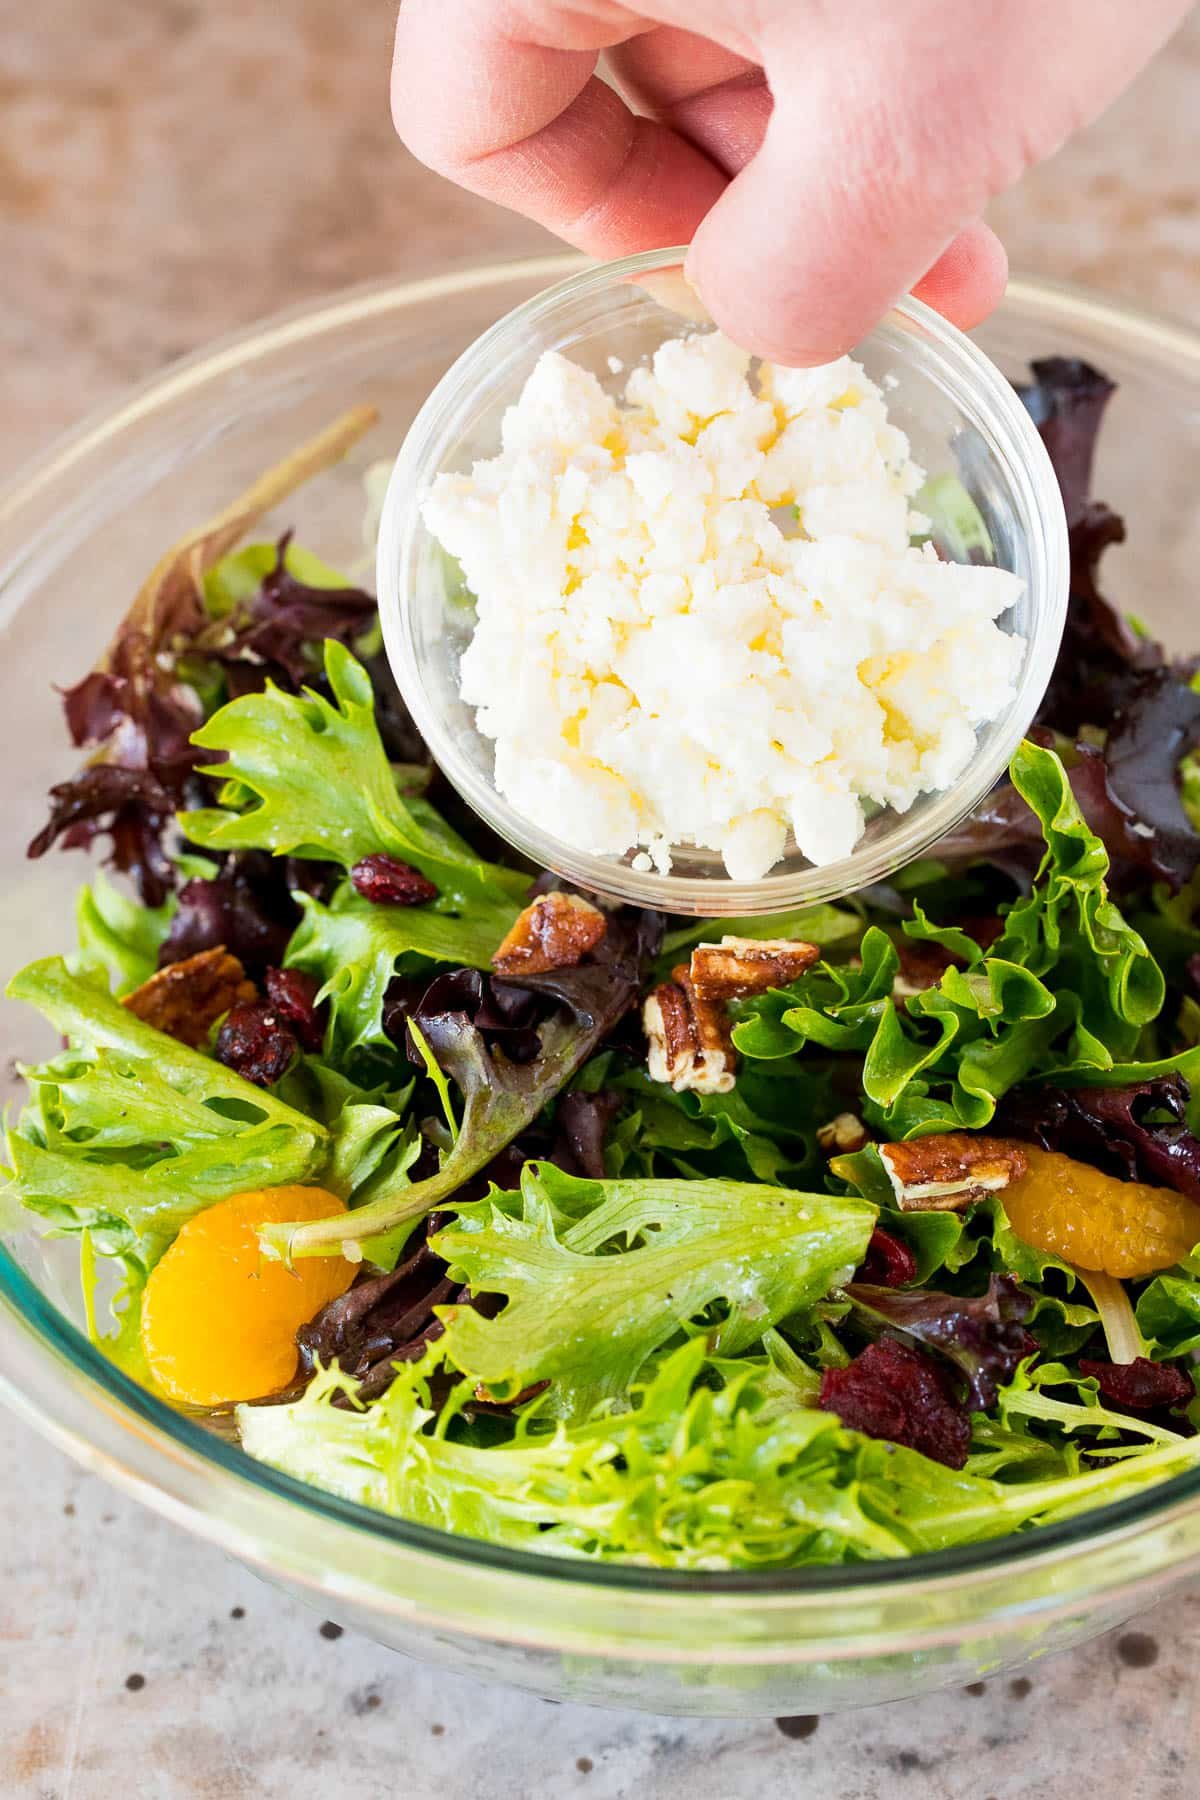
30, 1320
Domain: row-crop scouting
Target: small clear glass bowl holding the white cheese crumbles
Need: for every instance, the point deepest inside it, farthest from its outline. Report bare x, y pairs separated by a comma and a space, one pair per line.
962, 418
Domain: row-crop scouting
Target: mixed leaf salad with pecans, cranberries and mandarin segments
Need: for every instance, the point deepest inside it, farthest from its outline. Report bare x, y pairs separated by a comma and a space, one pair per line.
789, 1241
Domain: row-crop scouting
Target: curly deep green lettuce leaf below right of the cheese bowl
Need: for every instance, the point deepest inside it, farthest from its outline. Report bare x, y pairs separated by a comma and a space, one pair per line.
1068, 989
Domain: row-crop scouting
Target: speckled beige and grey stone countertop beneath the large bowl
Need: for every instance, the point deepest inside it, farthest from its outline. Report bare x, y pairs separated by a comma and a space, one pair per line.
170, 172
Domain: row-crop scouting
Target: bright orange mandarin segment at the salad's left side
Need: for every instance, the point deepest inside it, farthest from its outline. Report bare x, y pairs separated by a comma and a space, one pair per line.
219, 1320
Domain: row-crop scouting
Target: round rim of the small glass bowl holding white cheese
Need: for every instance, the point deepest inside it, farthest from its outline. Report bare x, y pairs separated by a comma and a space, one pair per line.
1019, 451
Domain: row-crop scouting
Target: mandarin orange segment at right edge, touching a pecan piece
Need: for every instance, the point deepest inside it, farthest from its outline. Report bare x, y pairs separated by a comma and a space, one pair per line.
1122, 1228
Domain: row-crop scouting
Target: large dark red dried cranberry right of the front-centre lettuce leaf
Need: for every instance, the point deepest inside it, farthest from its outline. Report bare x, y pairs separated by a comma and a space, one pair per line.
902, 1396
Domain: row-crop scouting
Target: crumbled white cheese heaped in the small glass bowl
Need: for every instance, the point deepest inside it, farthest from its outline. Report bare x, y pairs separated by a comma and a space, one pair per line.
665, 658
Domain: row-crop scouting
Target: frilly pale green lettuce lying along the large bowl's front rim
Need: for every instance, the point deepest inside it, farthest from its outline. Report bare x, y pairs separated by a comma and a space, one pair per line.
694, 1477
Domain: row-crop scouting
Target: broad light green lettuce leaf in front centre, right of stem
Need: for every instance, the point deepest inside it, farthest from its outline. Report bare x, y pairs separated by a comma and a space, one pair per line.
602, 1275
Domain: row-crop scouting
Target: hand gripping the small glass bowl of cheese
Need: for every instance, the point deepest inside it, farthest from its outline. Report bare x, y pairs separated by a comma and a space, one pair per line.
821, 157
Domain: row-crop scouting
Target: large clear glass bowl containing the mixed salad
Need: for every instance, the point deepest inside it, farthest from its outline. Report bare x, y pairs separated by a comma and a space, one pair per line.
78, 532
